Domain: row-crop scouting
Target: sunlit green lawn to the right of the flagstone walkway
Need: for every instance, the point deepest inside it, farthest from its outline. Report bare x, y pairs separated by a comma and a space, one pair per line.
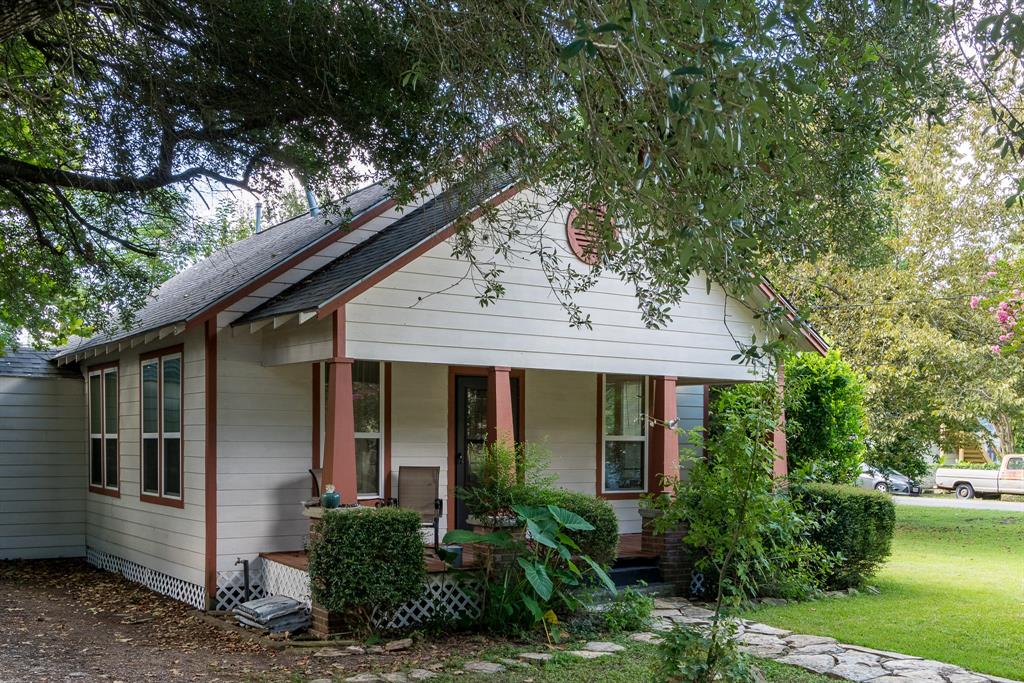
954, 591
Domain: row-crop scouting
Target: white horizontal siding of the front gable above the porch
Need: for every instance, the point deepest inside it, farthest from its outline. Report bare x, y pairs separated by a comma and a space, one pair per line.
429, 312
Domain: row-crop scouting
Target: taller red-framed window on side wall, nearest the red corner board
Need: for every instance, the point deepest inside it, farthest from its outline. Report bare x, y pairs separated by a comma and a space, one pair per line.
163, 475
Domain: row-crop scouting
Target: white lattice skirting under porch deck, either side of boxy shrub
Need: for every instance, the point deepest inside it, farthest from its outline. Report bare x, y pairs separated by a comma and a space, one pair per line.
448, 595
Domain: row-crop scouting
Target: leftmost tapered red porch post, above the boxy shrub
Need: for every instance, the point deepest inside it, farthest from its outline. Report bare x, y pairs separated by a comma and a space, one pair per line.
339, 441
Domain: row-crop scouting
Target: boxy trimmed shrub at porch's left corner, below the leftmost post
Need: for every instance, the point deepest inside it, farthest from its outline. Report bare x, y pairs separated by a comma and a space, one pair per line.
367, 559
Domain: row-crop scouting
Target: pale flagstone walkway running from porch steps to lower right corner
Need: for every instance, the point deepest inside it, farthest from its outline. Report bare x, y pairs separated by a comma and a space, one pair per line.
818, 654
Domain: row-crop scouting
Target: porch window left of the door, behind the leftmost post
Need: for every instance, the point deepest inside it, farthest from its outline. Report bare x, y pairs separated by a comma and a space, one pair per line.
368, 409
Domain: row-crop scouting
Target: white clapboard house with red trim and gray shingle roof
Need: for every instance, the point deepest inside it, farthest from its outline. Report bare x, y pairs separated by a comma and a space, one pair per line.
363, 350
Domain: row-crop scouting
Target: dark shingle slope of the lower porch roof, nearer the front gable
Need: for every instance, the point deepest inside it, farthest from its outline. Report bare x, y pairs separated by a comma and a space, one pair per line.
359, 264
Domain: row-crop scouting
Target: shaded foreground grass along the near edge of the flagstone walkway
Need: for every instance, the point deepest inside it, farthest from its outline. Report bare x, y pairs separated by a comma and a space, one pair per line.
636, 665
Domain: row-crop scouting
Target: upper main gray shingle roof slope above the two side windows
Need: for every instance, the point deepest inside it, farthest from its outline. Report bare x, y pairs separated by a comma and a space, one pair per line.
194, 290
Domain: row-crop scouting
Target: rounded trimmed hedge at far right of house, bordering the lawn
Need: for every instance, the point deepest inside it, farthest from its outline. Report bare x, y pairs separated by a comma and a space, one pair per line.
855, 525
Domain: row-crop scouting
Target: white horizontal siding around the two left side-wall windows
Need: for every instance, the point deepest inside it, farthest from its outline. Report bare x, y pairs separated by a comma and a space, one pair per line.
166, 539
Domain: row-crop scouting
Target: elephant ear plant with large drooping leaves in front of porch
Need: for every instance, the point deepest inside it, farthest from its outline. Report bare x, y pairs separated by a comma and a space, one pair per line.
549, 573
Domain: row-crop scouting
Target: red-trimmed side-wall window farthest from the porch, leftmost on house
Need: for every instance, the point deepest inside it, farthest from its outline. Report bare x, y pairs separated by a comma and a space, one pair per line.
104, 464
